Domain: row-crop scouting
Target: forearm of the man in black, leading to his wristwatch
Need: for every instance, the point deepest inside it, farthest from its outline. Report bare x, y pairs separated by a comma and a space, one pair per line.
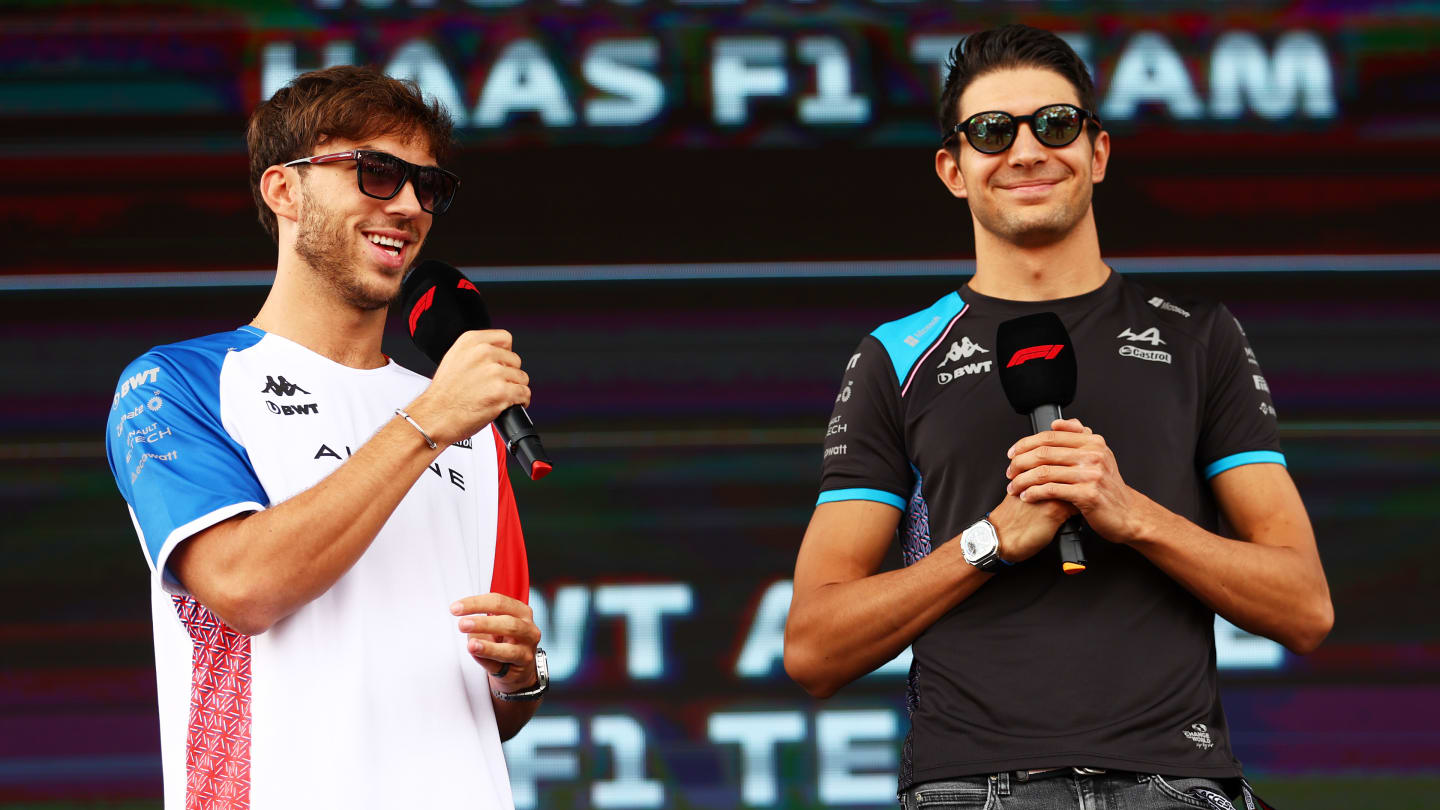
845, 631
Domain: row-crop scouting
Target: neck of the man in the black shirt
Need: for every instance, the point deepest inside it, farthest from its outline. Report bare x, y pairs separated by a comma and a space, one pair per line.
1039, 273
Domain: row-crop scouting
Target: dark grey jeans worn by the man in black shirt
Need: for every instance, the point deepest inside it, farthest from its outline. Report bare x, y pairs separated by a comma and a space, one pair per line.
1074, 792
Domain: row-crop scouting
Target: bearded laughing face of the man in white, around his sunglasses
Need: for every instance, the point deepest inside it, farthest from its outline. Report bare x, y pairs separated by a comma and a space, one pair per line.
361, 246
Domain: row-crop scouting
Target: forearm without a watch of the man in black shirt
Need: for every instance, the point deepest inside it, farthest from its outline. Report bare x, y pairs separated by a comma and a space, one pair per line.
1275, 589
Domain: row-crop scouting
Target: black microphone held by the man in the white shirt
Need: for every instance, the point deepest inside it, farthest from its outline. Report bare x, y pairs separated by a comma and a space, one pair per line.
441, 305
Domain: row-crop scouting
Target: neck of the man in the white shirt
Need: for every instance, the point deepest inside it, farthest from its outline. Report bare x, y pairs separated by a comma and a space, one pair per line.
309, 311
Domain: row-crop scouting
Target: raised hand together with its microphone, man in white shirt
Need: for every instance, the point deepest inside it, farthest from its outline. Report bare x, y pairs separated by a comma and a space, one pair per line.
477, 377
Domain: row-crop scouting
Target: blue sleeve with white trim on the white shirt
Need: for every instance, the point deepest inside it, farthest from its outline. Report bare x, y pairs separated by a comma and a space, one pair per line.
175, 463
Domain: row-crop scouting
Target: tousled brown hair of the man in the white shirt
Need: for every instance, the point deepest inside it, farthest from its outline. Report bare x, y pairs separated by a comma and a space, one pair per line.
349, 103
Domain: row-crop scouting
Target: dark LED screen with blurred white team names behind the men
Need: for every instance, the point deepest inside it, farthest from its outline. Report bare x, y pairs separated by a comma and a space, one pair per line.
685, 397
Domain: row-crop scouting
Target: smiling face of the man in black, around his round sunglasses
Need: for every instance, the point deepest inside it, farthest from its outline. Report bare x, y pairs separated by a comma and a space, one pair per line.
1029, 195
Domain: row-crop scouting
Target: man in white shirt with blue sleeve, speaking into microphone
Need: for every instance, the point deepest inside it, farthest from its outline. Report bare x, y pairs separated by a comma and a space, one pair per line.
339, 576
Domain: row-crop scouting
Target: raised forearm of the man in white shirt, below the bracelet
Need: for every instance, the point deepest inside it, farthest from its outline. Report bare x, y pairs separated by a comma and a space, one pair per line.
258, 570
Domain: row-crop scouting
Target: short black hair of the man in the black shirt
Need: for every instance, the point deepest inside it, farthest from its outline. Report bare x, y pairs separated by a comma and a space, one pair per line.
1006, 48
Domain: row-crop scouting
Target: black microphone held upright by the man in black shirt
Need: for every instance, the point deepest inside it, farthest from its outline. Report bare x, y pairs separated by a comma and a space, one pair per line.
1039, 375
